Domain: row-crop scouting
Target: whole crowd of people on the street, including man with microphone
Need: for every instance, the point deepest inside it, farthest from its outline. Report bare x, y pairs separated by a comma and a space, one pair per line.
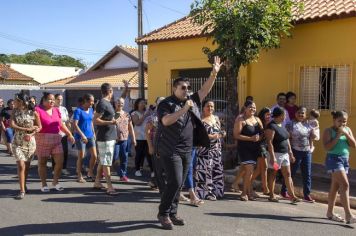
182, 147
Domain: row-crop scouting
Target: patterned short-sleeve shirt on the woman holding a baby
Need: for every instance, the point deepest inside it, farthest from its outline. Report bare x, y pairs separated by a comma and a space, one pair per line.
300, 135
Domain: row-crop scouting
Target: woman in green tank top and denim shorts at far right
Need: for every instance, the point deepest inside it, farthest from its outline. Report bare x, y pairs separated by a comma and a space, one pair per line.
337, 141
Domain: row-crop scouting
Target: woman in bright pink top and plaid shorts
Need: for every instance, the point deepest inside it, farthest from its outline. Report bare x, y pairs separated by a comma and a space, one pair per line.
48, 140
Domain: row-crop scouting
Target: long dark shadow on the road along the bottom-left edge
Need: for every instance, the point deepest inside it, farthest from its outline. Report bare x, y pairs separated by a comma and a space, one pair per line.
90, 227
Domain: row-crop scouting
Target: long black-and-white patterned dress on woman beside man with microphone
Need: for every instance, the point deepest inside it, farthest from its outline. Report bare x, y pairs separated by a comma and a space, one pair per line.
209, 170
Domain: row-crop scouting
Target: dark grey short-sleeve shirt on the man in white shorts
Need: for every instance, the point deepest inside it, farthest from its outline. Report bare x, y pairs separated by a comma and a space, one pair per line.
106, 132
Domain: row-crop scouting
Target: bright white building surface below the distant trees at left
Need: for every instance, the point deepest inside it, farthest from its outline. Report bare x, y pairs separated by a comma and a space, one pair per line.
45, 74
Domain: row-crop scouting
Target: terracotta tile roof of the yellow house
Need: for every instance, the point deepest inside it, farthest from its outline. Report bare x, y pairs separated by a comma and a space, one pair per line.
313, 10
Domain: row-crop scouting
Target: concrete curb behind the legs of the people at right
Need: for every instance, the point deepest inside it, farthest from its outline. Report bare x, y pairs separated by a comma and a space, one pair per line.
318, 196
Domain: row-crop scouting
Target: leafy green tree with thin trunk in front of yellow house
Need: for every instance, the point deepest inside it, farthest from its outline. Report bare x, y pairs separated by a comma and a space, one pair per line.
241, 29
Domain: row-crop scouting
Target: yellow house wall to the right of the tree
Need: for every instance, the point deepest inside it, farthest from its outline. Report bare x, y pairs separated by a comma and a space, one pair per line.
323, 43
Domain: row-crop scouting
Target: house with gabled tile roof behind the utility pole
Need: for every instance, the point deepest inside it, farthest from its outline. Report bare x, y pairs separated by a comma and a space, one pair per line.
118, 65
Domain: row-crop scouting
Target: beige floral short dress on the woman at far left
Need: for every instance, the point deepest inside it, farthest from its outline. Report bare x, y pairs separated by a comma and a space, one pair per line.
23, 149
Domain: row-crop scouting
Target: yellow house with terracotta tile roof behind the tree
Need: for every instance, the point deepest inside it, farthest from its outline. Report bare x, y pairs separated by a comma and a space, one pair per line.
317, 63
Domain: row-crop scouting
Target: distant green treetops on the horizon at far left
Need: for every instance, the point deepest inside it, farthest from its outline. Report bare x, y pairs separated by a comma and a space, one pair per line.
42, 57
